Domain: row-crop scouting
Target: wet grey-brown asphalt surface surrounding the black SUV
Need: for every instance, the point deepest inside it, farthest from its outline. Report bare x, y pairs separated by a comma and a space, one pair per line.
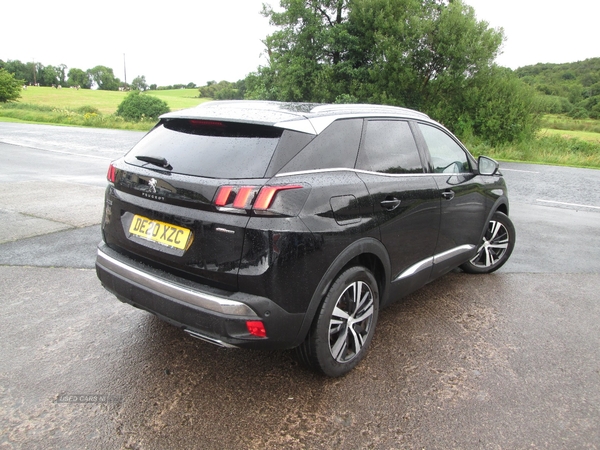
503, 361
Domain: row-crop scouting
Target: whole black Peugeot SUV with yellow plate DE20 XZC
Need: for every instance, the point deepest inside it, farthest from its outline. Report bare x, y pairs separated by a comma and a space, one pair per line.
278, 225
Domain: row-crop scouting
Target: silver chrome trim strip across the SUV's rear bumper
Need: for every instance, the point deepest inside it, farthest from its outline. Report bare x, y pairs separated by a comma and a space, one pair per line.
201, 299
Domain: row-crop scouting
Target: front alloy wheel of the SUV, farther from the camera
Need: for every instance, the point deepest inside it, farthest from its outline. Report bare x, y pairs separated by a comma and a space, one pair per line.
495, 249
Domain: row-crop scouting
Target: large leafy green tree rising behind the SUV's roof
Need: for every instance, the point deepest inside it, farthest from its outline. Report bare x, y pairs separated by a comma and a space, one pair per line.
424, 54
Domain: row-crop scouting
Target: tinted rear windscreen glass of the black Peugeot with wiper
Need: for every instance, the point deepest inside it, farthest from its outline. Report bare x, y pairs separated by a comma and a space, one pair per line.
209, 148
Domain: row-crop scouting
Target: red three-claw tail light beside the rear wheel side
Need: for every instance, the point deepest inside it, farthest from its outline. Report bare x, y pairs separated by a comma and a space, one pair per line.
244, 198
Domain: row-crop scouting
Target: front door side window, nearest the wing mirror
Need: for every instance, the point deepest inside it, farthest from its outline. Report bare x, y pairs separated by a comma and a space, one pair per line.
446, 155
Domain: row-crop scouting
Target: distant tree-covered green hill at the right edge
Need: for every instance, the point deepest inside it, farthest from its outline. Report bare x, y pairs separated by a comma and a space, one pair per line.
569, 88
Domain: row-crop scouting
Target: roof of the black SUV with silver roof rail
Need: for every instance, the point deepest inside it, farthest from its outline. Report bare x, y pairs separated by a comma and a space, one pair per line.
310, 118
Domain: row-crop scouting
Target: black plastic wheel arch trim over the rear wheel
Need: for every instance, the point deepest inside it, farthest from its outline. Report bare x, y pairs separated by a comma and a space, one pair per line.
367, 252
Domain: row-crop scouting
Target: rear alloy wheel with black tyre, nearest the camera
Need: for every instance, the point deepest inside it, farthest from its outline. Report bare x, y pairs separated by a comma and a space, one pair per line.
343, 329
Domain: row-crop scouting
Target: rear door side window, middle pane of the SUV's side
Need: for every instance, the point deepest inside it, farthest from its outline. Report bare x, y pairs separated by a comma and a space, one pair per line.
389, 147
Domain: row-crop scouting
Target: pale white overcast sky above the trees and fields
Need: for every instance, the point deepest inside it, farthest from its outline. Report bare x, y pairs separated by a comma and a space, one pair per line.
182, 41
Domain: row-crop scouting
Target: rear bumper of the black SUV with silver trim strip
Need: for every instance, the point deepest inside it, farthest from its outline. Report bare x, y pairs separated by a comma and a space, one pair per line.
210, 314
